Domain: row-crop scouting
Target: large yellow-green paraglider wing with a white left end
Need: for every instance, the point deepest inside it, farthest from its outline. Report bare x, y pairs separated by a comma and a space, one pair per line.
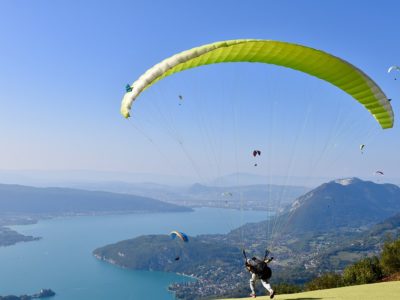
305, 59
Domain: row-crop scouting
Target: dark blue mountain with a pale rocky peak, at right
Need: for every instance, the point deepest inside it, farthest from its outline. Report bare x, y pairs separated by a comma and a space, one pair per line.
347, 202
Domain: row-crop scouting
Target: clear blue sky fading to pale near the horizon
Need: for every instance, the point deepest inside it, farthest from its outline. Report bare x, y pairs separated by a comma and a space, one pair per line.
64, 65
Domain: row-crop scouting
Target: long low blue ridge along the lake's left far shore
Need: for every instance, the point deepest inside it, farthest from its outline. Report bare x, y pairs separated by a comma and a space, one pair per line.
17, 199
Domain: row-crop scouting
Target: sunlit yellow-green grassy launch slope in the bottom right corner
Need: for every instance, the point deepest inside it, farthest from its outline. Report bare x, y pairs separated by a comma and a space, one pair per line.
386, 291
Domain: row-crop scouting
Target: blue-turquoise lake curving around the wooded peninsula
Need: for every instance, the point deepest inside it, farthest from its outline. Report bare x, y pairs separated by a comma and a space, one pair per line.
63, 259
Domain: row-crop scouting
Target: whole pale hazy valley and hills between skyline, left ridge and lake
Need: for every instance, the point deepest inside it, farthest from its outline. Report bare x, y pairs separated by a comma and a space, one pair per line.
245, 190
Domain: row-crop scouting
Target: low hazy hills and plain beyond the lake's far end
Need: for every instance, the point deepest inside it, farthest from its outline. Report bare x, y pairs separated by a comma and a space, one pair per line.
256, 196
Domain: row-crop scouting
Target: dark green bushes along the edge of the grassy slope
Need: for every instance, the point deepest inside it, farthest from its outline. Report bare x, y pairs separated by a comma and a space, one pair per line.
368, 270
